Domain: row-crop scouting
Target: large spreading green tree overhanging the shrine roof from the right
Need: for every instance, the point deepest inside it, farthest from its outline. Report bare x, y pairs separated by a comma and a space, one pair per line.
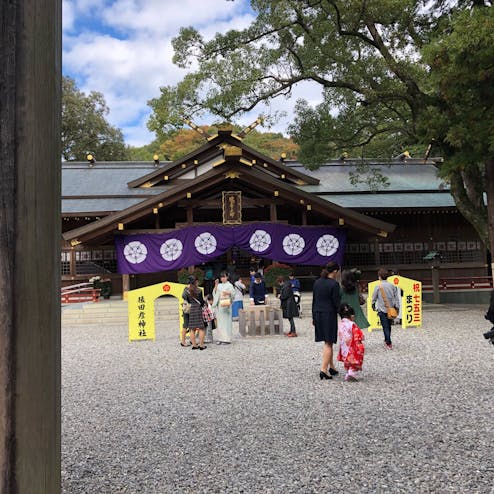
385, 77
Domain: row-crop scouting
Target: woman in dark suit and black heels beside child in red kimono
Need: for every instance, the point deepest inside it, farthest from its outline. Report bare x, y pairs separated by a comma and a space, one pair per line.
325, 304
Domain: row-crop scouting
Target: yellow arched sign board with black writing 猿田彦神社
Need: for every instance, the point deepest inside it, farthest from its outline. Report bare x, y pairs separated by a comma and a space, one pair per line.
141, 308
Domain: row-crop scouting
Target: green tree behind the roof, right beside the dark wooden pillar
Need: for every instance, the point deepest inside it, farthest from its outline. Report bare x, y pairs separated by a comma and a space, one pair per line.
85, 128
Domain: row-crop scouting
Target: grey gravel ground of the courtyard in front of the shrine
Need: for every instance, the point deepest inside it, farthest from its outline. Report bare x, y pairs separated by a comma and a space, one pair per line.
253, 417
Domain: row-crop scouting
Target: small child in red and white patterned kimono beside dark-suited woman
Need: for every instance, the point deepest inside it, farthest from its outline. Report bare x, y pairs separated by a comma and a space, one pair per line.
351, 347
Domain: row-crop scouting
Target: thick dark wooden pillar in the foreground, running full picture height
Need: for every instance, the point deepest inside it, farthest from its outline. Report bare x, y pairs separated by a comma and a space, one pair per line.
30, 236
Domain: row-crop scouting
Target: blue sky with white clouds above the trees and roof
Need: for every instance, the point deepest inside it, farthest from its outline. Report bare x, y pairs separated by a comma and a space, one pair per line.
122, 48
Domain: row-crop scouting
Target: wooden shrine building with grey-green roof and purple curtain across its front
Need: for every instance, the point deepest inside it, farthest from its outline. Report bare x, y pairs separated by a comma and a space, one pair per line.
226, 204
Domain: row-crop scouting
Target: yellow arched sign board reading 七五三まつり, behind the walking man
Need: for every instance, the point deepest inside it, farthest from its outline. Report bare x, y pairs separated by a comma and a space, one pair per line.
410, 302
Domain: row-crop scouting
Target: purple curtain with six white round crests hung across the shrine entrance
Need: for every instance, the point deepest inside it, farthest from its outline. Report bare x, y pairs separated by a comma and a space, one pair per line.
303, 245
